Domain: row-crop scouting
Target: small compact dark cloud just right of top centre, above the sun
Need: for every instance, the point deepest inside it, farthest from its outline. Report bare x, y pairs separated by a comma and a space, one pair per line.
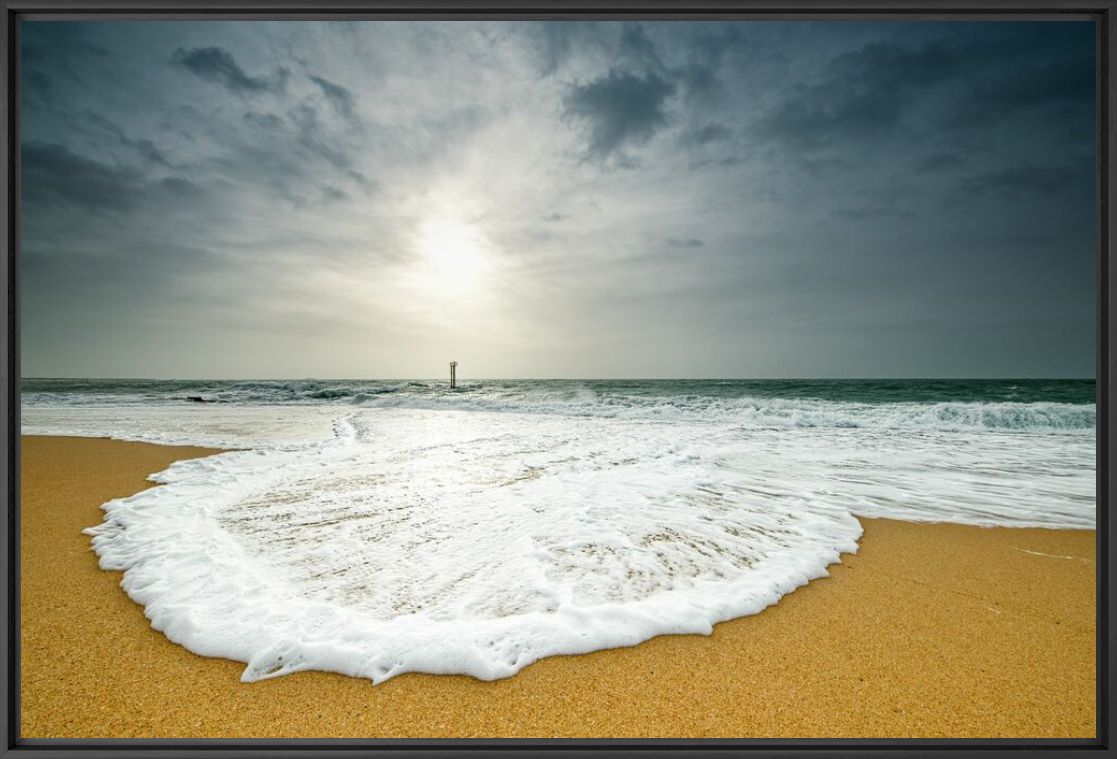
620, 110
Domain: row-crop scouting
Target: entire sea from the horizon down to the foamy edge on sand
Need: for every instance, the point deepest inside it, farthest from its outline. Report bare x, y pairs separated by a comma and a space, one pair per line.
376, 528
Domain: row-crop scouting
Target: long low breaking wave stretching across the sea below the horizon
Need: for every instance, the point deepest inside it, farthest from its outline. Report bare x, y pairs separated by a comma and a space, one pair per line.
577, 401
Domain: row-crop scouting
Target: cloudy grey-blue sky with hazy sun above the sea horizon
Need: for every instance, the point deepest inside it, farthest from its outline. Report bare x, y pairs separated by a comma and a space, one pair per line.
558, 200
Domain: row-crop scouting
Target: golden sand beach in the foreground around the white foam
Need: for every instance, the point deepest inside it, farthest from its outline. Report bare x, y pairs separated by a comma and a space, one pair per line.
929, 631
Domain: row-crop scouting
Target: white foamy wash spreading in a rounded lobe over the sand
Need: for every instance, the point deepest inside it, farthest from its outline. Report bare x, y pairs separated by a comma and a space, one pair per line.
478, 543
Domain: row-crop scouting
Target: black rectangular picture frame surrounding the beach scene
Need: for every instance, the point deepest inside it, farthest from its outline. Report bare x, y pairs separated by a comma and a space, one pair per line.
1102, 12
